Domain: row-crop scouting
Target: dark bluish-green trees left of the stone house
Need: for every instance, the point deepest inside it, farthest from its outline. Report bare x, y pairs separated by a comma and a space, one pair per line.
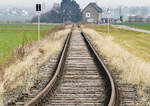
69, 10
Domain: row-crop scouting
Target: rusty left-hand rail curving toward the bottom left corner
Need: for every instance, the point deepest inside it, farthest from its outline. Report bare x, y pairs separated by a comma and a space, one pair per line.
37, 99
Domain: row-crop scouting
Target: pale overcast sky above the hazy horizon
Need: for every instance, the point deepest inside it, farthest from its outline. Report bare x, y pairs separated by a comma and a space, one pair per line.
83, 3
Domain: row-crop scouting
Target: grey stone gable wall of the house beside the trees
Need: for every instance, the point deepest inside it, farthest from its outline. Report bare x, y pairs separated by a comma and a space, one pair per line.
94, 18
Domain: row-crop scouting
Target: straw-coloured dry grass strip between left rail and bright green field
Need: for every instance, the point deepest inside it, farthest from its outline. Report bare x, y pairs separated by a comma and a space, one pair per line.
16, 71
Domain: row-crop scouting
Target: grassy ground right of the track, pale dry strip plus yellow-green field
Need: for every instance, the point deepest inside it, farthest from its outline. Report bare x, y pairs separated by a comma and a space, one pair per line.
127, 53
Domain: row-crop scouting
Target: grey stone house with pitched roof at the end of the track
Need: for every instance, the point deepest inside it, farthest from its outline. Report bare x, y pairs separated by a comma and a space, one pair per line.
92, 14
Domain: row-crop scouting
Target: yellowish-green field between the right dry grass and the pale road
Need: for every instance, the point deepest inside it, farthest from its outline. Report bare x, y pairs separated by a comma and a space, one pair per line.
136, 43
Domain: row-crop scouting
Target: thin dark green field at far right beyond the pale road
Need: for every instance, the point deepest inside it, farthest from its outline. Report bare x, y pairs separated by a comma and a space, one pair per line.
139, 25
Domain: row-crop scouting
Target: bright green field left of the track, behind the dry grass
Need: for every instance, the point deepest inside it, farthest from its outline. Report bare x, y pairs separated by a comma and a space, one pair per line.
12, 35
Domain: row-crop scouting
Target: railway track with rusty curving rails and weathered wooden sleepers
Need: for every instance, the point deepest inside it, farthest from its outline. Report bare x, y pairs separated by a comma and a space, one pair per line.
81, 78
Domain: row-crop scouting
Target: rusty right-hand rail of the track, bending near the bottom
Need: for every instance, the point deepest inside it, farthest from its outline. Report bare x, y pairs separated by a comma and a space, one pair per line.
113, 100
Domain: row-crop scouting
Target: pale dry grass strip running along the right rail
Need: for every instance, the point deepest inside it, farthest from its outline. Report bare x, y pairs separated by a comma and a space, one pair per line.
133, 69
